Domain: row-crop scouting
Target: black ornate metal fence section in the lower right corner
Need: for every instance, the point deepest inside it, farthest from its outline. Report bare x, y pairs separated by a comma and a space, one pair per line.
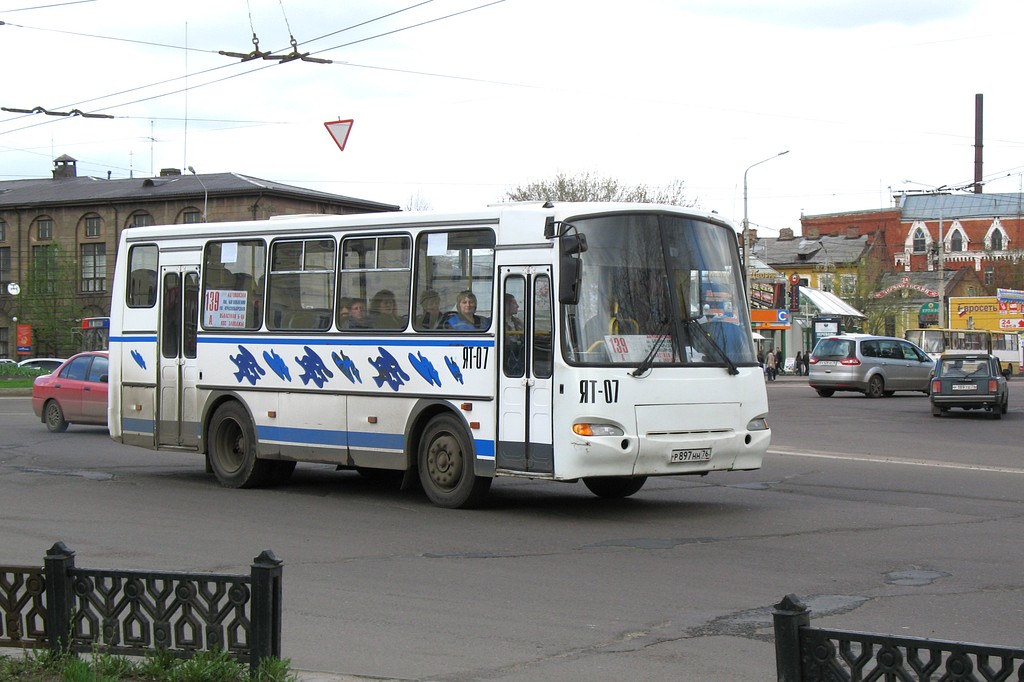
804, 654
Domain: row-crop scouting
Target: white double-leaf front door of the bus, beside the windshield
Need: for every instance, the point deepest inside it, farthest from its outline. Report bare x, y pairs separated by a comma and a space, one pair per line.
525, 387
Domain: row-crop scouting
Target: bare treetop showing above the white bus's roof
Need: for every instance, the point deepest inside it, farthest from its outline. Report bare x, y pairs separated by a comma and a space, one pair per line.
590, 188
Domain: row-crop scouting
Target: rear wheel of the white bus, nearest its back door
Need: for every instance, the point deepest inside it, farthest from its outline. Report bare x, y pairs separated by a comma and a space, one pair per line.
233, 449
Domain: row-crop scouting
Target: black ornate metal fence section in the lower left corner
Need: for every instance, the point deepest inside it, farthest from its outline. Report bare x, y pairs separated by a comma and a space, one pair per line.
133, 613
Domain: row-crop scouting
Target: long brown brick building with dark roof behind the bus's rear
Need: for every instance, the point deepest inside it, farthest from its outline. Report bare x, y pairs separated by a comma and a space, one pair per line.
84, 219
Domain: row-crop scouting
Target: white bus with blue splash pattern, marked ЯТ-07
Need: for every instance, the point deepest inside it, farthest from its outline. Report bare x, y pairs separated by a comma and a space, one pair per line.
610, 343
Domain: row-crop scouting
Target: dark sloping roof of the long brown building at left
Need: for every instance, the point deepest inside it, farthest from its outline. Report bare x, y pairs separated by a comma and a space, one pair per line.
56, 192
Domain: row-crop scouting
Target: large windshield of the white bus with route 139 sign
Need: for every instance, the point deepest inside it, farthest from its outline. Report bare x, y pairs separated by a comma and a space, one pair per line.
659, 290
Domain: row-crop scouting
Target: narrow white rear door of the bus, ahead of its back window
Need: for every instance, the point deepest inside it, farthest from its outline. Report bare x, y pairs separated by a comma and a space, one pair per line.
178, 420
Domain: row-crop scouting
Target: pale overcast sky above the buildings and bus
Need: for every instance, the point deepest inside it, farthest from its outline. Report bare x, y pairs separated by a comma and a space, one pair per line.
455, 102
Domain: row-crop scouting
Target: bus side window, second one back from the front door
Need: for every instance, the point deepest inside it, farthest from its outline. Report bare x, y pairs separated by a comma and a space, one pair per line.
373, 291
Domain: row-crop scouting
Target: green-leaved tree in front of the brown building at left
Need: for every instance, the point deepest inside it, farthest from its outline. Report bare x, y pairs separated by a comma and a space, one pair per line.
50, 305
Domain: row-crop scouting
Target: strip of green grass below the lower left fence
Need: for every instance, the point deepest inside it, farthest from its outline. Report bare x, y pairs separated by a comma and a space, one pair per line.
217, 666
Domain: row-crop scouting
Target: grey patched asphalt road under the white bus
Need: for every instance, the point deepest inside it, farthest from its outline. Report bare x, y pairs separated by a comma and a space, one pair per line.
880, 517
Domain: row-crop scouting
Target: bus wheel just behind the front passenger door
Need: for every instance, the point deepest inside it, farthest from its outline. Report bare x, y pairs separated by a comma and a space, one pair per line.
446, 465
